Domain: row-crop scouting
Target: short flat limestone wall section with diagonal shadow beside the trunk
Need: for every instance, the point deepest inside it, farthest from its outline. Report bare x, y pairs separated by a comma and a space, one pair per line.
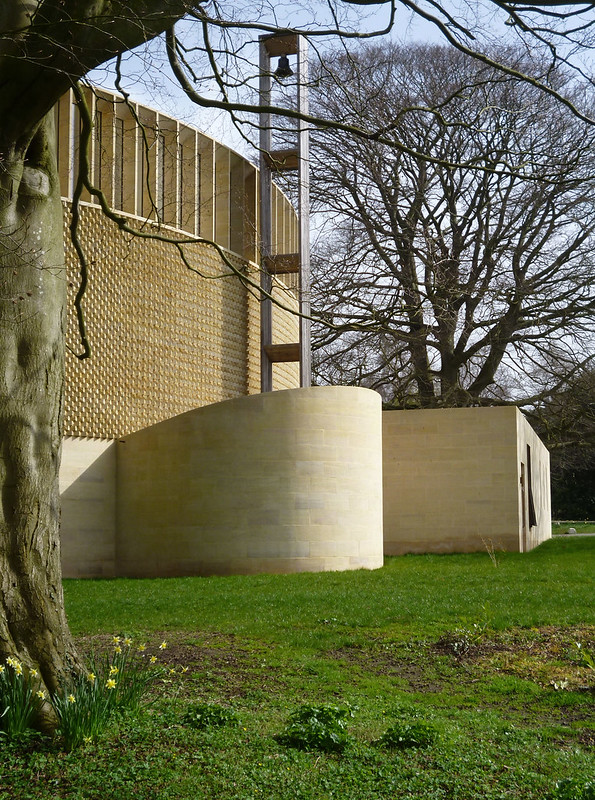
88, 488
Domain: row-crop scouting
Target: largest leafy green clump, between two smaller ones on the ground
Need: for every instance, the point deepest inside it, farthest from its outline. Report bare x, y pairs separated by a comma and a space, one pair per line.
323, 727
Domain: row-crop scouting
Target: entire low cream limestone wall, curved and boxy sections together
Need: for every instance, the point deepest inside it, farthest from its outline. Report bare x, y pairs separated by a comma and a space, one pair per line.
291, 481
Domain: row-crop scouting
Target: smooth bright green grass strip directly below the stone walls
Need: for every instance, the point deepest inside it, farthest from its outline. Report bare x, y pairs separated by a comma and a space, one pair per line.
414, 595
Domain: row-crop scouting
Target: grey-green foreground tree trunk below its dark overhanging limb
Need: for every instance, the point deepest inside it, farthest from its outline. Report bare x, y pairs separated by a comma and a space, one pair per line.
32, 310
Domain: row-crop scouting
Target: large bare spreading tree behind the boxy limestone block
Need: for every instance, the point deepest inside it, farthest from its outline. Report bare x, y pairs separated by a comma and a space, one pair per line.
465, 247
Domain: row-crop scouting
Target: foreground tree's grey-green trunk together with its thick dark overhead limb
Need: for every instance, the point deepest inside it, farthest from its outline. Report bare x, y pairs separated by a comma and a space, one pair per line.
45, 45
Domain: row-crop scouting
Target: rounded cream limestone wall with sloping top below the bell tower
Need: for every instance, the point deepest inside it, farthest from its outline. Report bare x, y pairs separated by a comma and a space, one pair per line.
281, 482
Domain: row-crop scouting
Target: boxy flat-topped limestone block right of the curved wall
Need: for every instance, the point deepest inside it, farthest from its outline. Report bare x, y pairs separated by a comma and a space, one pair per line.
452, 481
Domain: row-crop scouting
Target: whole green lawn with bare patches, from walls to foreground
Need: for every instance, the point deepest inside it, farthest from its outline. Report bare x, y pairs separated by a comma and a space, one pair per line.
484, 655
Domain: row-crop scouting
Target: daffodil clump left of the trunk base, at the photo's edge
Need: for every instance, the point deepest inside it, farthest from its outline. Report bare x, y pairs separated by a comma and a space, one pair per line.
19, 699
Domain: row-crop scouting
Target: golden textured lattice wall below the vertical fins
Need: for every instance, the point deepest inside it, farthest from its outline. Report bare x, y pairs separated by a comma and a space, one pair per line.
164, 339
